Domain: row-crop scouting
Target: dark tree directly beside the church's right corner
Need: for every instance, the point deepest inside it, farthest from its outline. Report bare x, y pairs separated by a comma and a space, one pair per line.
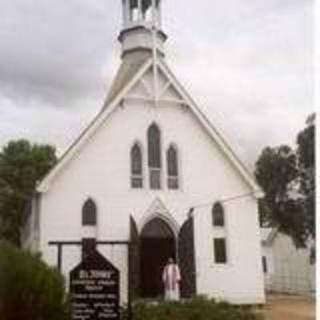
277, 173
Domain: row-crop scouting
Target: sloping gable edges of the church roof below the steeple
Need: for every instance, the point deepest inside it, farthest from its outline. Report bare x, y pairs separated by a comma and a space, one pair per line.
129, 74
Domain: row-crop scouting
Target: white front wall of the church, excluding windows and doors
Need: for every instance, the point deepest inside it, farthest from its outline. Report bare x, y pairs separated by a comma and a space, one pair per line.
101, 170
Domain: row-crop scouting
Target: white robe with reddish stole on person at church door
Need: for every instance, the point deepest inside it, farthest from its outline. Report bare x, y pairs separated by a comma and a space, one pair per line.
171, 278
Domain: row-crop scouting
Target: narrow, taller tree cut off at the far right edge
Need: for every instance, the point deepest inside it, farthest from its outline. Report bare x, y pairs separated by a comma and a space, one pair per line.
306, 163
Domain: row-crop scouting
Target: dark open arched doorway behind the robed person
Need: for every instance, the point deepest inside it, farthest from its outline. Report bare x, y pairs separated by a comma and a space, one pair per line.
157, 244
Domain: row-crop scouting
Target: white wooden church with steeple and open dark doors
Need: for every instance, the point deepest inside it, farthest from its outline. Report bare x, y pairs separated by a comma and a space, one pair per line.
151, 169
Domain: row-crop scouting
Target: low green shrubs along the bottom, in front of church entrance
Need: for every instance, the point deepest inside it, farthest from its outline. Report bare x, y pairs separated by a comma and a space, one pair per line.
197, 309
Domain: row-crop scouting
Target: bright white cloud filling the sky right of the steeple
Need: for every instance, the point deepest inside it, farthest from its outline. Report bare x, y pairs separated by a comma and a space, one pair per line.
253, 75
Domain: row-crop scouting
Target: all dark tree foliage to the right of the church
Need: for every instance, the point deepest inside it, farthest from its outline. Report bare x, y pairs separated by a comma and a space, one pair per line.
287, 178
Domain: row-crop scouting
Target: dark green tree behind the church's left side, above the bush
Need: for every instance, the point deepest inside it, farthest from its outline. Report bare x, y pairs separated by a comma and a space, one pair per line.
22, 165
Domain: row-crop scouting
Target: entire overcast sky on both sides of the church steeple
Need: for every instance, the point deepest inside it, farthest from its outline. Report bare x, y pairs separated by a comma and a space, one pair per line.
248, 63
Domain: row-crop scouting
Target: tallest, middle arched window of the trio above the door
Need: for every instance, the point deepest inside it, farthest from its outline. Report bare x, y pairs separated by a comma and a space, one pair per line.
154, 157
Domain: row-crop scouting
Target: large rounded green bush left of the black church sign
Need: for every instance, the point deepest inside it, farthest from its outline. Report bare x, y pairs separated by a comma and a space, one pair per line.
29, 289
